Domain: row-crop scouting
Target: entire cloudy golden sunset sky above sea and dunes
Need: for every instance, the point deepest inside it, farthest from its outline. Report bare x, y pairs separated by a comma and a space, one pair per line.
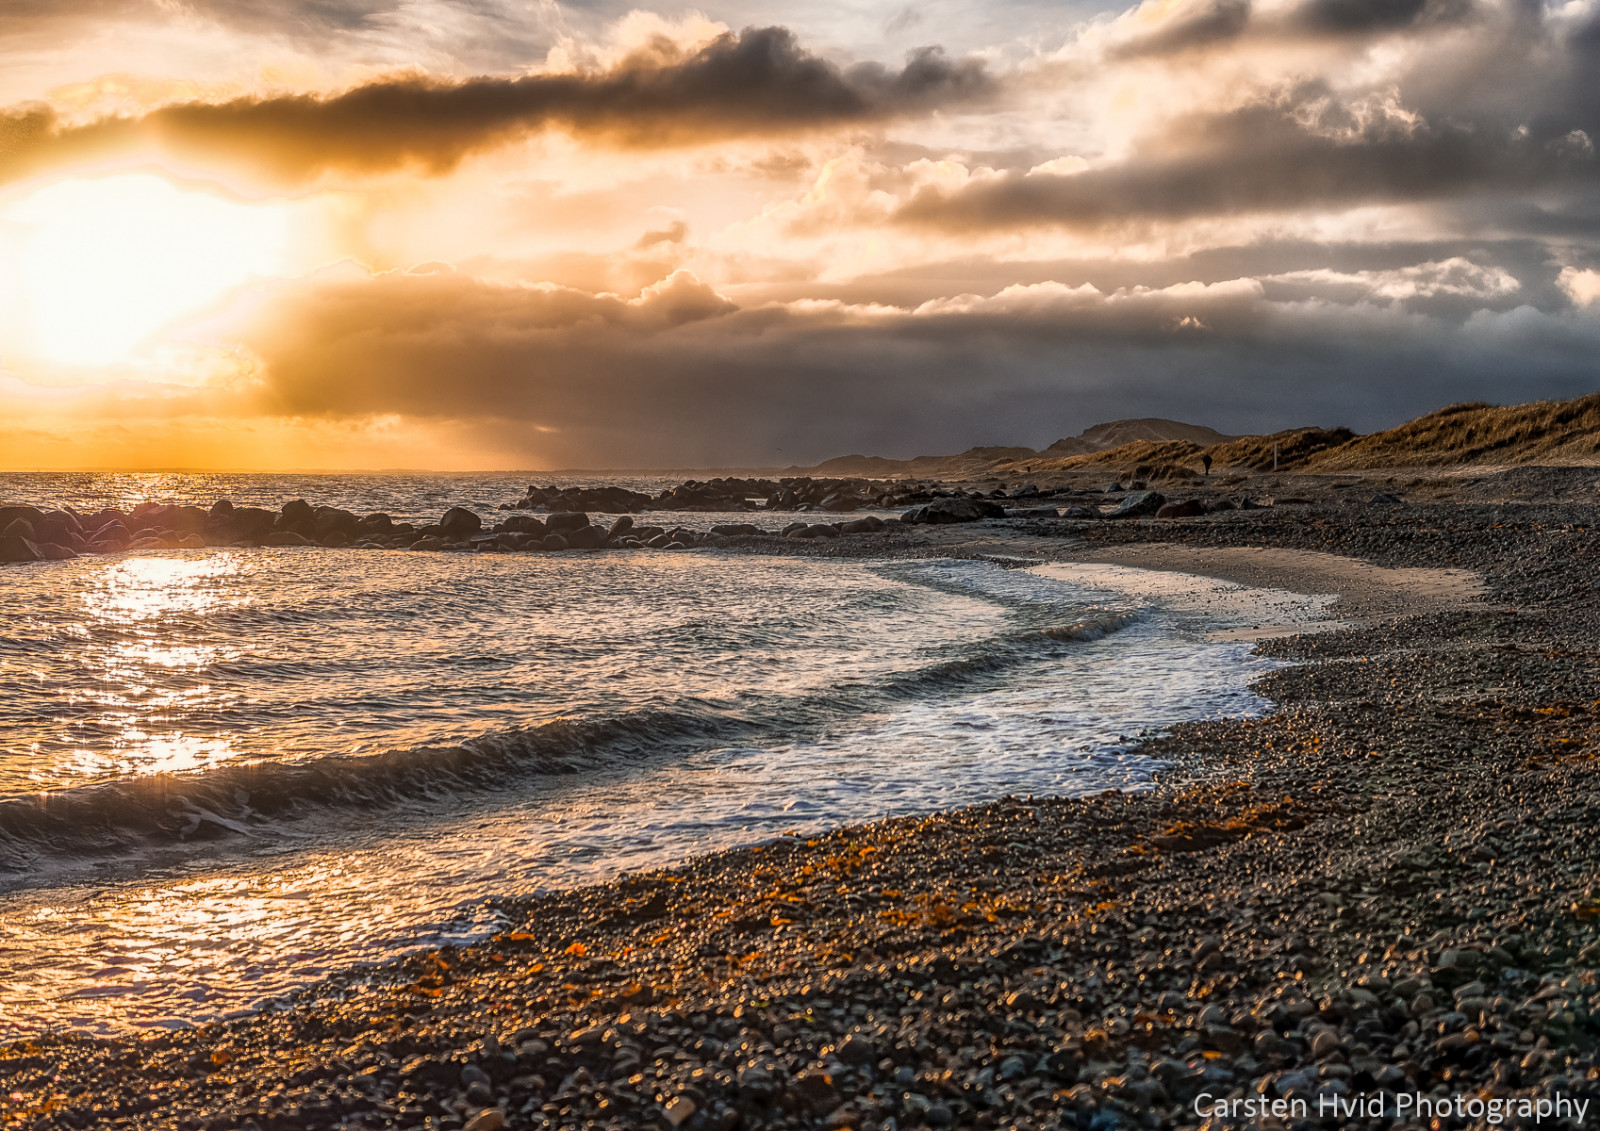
524, 234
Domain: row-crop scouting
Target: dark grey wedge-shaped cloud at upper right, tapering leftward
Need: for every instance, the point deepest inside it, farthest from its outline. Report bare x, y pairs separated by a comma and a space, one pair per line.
1513, 113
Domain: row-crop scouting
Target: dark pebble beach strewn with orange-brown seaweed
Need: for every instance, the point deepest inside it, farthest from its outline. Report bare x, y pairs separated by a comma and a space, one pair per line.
1295, 908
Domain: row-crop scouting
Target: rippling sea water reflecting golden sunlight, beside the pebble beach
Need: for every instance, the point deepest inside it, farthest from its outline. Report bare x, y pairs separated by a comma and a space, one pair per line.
228, 773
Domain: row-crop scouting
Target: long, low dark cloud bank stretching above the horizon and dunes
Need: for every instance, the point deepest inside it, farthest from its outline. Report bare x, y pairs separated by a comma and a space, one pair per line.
684, 378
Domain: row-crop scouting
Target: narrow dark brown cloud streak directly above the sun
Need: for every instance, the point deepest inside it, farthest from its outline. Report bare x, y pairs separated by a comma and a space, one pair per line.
759, 82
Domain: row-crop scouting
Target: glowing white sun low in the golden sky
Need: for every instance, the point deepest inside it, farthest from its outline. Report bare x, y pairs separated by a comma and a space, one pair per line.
95, 270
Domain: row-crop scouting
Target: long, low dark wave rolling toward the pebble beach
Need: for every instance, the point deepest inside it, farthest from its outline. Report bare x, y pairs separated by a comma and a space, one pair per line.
254, 799
